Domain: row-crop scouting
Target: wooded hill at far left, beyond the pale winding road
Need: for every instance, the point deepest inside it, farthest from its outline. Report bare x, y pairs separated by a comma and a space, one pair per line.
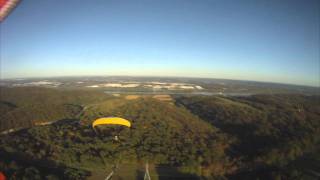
25, 106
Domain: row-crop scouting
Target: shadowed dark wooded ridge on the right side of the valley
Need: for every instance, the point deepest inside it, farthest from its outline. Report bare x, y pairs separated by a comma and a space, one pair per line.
271, 130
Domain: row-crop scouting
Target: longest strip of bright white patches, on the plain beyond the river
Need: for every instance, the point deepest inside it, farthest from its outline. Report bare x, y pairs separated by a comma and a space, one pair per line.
153, 85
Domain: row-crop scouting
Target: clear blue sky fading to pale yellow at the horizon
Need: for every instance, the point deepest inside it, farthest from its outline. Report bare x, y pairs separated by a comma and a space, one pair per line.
263, 40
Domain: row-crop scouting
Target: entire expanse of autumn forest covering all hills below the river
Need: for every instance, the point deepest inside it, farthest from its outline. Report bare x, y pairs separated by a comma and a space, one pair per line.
258, 136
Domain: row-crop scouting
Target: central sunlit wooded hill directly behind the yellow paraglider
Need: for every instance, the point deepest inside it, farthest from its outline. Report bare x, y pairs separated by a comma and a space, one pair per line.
161, 134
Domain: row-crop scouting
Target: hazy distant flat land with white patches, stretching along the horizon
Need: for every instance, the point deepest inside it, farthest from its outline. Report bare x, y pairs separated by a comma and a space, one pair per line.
156, 85
